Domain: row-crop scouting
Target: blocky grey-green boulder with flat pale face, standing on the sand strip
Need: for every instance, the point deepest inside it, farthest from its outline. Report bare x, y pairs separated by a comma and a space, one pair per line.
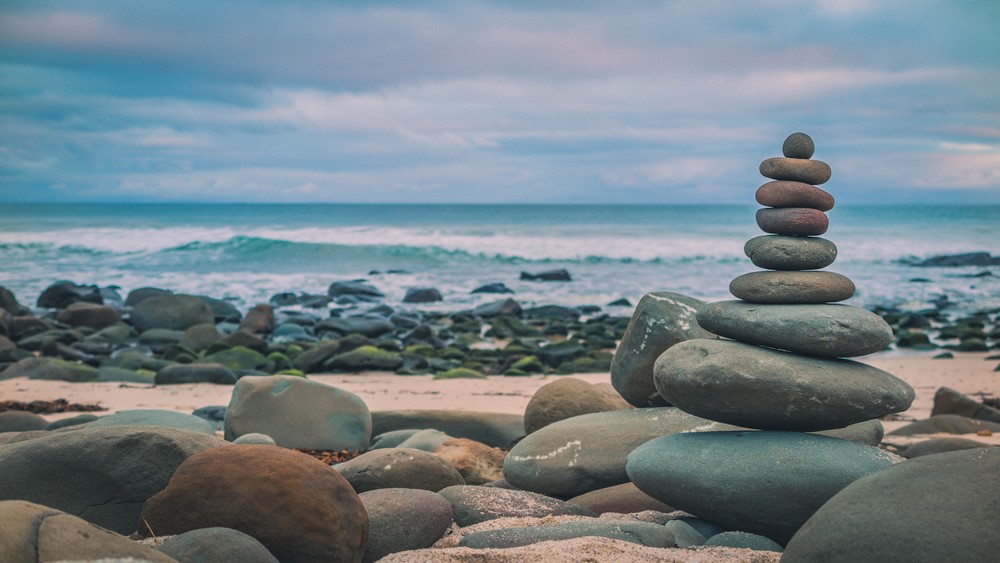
298, 413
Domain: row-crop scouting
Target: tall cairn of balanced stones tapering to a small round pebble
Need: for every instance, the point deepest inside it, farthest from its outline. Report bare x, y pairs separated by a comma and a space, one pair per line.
779, 369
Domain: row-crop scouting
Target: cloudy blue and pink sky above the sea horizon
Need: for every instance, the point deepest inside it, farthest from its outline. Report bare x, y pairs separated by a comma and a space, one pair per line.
505, 101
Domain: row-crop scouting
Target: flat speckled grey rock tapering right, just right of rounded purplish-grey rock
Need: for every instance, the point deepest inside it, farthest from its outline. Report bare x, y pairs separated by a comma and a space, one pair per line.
472, 505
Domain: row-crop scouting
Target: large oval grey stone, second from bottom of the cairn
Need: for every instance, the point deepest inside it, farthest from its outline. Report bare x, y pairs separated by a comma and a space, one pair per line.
756, 387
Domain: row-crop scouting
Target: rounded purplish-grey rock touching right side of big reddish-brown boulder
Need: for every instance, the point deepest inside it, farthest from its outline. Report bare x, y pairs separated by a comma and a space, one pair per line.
403, 519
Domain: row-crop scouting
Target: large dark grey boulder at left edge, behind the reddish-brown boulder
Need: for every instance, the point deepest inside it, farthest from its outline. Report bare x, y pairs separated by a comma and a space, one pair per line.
103, 475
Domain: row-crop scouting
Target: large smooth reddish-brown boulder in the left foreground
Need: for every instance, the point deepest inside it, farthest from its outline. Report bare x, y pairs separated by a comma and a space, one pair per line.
295, 505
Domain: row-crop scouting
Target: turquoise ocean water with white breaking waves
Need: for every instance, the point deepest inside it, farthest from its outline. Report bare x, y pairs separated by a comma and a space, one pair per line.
246, 253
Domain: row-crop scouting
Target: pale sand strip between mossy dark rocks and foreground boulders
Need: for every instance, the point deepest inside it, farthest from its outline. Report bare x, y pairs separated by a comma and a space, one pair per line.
968, 373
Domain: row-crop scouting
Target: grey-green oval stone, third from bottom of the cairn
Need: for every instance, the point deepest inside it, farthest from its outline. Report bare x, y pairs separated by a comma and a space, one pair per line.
836, 331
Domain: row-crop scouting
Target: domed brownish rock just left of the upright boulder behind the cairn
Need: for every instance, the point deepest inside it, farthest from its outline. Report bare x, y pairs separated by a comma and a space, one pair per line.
567, 397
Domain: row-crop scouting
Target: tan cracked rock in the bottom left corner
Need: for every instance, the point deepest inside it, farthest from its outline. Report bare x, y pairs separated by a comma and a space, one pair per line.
32, 532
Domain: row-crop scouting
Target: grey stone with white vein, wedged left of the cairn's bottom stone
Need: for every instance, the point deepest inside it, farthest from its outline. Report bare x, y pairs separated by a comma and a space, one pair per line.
585, 453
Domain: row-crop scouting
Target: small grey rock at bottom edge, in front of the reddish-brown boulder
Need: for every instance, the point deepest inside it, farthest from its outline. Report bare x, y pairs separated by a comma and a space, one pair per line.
216, 544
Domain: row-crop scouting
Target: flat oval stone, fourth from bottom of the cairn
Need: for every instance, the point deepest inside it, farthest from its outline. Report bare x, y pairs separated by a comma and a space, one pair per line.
792, 287
